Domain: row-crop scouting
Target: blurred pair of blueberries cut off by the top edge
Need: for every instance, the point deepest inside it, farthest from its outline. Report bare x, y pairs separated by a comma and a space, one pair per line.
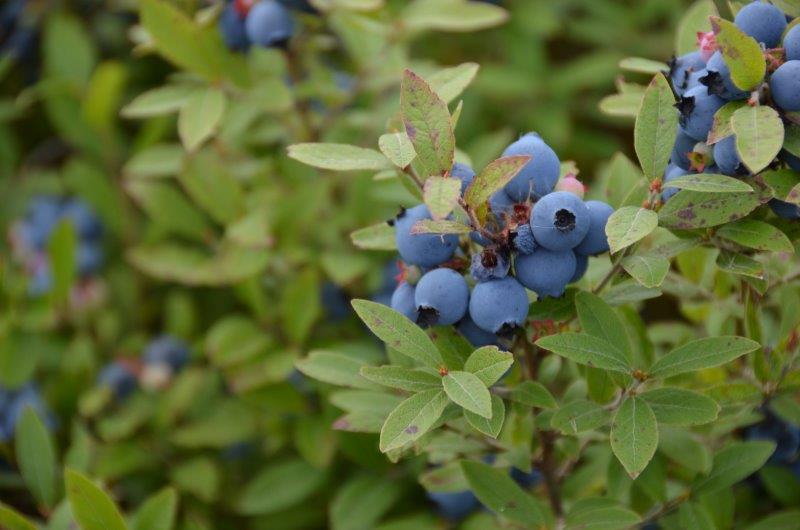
261, 22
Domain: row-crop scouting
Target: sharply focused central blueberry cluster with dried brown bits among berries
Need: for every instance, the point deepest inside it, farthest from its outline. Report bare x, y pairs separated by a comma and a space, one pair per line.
539, 236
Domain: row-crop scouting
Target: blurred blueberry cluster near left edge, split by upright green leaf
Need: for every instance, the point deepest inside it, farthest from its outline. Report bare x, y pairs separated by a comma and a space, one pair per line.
30, 236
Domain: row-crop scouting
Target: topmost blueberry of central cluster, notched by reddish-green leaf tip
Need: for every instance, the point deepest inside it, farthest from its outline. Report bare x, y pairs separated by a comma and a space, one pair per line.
539, 176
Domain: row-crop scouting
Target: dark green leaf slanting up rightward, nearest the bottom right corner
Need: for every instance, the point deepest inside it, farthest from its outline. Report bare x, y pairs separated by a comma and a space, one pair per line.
734, 463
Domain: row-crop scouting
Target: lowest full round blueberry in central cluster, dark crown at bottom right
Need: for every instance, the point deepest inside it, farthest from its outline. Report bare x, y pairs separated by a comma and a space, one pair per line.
499, 306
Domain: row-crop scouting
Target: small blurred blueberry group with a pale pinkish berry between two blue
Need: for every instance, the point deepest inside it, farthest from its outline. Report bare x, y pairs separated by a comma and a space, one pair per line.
161, 360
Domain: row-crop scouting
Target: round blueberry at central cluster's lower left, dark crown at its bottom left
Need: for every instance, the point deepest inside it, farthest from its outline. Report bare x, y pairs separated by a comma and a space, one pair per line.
441, 297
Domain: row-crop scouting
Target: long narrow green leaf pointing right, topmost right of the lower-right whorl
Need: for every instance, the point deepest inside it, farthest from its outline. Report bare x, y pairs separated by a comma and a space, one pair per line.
700, 354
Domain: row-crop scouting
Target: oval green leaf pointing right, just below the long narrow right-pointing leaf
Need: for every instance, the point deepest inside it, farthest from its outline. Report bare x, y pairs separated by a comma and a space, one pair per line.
678, 406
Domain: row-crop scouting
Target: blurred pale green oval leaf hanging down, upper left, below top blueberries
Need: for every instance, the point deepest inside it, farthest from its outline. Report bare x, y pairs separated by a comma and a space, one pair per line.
200, 116
